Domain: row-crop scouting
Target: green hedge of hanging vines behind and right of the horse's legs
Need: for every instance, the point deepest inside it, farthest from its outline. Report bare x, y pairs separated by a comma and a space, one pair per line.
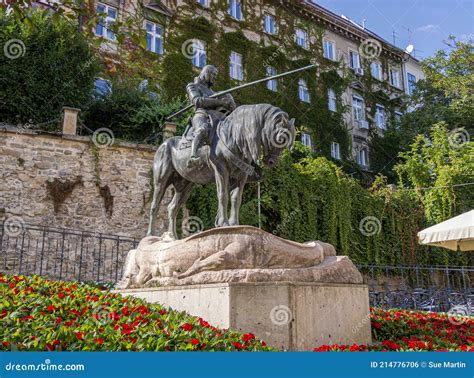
314, 200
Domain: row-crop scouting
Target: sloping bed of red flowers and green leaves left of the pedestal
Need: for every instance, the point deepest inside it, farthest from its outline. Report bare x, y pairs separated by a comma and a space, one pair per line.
38, 314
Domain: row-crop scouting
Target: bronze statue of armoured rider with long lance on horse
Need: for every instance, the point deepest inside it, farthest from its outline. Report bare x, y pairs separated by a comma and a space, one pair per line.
223, 143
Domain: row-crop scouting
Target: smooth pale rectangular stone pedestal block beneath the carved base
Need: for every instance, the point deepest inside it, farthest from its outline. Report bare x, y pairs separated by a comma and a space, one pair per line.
288, 316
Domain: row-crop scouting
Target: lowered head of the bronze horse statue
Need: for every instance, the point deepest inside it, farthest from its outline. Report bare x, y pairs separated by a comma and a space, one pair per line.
278, 135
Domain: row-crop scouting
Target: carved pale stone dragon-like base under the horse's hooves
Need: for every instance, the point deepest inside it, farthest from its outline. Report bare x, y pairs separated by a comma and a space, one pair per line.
233, 254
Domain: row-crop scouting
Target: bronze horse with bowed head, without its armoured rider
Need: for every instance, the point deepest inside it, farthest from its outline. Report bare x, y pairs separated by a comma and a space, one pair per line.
230, 159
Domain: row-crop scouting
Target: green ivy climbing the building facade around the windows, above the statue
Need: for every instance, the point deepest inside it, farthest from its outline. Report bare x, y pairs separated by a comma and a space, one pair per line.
283, 54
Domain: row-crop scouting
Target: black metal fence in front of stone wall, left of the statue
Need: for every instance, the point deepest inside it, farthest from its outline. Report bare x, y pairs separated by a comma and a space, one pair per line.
63, 254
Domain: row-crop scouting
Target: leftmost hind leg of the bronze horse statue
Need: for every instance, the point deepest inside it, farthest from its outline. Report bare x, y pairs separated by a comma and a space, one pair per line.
162, 170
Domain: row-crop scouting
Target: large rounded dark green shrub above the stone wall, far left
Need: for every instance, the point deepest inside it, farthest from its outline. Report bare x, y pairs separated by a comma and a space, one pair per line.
53, 67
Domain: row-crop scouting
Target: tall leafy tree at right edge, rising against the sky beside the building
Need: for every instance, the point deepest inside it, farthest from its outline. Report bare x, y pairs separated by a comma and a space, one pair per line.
445, 95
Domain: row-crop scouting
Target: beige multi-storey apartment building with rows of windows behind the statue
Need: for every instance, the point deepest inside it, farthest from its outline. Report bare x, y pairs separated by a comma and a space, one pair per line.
378, 76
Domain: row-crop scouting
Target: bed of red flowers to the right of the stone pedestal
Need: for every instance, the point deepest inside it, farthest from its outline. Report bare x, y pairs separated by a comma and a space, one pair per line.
400, 330
